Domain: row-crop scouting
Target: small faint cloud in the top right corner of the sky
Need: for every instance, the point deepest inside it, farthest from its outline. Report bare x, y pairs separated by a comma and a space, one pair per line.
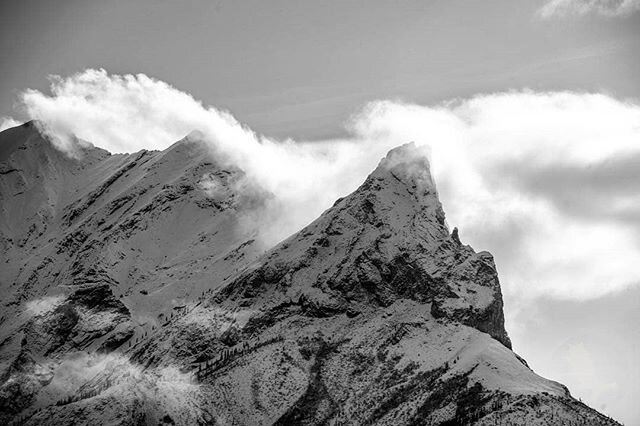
611, 8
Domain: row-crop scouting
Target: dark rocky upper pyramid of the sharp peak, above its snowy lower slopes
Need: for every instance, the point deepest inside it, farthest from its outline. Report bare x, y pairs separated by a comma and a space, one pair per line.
393, 244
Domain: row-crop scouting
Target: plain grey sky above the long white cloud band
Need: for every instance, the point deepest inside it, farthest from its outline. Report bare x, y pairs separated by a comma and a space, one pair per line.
298, 69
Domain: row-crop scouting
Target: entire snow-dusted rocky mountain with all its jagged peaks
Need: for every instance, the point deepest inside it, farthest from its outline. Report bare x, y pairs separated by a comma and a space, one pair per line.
132, 294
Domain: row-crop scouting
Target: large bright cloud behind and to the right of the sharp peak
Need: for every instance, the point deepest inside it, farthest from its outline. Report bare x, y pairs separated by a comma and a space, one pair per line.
507, 163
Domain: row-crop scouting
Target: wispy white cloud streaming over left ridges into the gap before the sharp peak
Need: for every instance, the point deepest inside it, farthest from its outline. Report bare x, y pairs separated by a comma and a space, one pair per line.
133, 112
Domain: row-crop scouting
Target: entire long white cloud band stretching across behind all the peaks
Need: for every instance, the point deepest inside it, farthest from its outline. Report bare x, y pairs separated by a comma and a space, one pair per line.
545, 181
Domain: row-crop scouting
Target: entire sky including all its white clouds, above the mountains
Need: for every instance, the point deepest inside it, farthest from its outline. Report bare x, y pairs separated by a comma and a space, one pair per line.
531, 110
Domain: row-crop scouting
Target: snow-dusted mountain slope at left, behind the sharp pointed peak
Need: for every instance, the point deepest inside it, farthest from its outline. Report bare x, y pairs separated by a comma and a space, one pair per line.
99, 248
